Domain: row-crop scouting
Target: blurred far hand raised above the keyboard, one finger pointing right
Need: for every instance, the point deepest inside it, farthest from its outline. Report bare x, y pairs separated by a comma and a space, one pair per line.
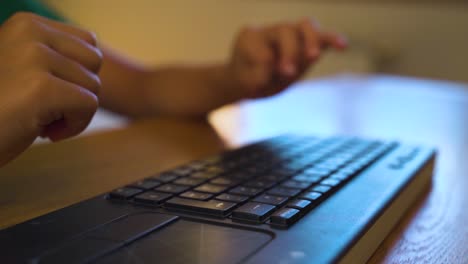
266, 60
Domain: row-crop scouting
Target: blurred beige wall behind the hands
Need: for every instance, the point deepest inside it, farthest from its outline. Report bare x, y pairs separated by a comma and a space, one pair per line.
418, 40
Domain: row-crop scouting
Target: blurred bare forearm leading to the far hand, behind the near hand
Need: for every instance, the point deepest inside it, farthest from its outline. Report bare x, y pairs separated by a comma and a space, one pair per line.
188, 91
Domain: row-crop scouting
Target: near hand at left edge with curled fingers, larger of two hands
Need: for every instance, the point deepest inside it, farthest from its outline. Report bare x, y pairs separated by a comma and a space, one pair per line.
48, 81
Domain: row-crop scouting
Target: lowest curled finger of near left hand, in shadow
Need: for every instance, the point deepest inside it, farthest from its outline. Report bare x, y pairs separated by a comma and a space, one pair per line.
72, 108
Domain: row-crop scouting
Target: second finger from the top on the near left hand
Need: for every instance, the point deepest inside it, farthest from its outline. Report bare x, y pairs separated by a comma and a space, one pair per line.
75, 49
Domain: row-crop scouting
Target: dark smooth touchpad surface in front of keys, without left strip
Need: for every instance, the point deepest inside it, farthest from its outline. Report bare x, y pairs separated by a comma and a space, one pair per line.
191, 242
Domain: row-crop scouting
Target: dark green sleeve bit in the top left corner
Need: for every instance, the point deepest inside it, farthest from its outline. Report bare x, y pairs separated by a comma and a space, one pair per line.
9, 7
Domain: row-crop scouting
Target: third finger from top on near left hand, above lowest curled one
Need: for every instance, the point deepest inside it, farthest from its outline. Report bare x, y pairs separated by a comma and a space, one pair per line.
71, 71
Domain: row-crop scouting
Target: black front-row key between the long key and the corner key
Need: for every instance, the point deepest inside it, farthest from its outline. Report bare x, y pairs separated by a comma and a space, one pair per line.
256, 212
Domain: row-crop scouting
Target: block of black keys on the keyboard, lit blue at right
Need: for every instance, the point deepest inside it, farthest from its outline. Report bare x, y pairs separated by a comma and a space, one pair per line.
273, 182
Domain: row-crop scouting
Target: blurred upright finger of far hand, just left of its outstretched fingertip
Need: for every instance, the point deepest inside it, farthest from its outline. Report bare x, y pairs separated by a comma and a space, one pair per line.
309, 31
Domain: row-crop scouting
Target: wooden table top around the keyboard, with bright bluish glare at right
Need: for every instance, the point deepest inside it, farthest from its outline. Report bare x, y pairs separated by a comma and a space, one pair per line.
48, 177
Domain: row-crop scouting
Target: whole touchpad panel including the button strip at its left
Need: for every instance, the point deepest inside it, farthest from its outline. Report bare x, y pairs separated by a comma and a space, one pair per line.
159, 238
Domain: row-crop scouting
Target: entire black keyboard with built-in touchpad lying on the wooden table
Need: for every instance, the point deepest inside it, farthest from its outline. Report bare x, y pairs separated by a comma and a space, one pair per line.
288, 199
